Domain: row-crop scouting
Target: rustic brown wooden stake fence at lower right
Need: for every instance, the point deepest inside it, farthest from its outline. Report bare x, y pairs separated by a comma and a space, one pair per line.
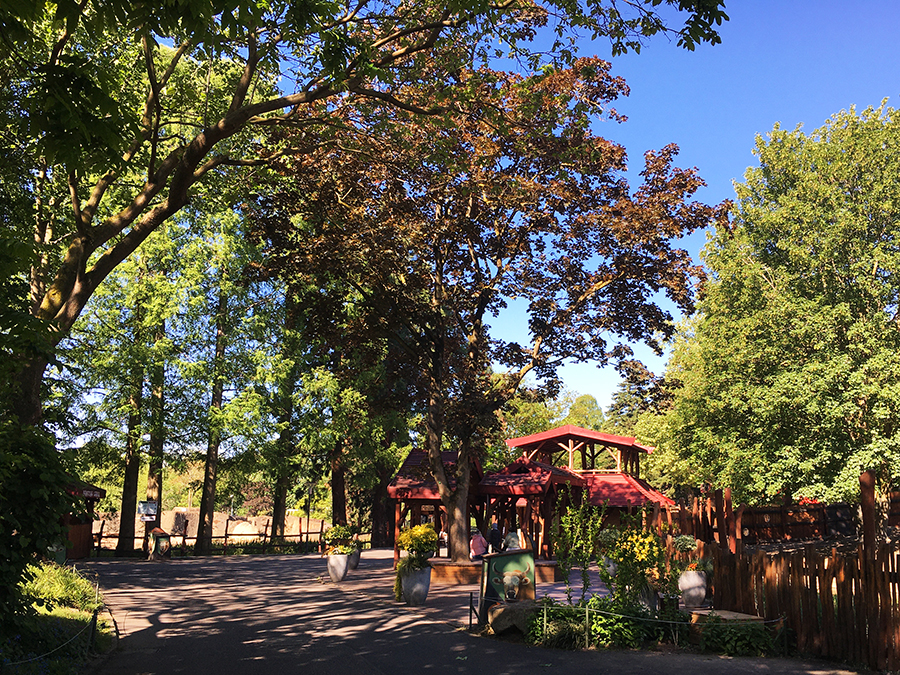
838, 604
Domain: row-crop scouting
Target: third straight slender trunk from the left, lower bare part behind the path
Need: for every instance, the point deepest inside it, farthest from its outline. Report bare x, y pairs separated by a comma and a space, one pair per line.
214, 438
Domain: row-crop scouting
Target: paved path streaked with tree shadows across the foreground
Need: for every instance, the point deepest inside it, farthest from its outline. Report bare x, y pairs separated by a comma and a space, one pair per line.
269, 615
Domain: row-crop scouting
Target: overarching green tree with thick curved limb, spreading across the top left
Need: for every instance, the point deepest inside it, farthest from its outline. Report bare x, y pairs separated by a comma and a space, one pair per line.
117, 143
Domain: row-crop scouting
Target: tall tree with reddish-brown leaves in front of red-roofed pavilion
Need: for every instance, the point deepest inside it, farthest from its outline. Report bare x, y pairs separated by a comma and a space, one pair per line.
437, 230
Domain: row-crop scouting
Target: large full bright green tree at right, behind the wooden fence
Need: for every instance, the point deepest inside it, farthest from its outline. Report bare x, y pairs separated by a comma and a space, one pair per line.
790, 372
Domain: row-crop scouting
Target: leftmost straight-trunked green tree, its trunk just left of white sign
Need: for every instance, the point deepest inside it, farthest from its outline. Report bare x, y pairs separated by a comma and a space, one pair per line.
115, 363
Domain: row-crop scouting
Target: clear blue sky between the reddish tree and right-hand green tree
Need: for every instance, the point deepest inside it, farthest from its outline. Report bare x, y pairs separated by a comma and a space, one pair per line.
788, 61
